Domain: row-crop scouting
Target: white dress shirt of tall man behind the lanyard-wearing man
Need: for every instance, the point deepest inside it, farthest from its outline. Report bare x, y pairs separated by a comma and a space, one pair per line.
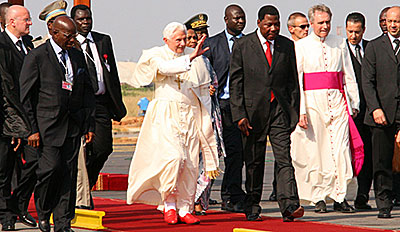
97, 61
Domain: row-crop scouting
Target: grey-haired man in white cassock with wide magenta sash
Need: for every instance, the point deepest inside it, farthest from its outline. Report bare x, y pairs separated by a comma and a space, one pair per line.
321, 152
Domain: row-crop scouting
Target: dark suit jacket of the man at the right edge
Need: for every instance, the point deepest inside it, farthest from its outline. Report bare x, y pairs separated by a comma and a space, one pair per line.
380, 73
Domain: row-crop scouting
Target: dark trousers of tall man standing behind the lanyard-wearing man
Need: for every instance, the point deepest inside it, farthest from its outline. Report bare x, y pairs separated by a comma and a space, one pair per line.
101, 148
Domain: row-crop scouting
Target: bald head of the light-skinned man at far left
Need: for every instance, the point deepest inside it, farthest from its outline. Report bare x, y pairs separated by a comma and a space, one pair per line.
18, 20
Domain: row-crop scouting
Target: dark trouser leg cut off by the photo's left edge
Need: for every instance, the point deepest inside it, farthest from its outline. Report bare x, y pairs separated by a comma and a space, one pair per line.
7, 161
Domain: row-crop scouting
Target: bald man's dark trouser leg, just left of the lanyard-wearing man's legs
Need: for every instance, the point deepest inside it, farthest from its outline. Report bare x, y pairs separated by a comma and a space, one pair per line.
23, 192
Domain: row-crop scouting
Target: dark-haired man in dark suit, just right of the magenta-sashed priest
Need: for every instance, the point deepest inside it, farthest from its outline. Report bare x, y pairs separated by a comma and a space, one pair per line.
355, 28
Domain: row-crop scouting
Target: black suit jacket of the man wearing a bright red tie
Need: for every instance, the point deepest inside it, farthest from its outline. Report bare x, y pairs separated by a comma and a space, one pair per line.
252, 81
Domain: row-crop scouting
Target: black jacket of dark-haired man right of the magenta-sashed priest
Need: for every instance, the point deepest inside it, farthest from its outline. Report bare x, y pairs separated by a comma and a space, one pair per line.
357, 70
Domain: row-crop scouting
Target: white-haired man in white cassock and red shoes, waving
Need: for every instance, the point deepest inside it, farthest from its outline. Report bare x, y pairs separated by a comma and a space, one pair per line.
176, 127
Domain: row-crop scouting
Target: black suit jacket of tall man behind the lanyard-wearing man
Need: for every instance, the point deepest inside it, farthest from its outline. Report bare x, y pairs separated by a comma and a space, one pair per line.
110, 74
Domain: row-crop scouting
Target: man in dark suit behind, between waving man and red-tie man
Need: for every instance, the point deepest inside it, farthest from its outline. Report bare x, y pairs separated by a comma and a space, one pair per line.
220, 45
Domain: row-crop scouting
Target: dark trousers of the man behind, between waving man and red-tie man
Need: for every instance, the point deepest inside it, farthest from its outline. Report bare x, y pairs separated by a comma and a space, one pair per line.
231, 187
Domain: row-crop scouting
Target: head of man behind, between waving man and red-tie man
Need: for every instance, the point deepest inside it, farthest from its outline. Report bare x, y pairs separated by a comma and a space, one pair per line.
235, 19
